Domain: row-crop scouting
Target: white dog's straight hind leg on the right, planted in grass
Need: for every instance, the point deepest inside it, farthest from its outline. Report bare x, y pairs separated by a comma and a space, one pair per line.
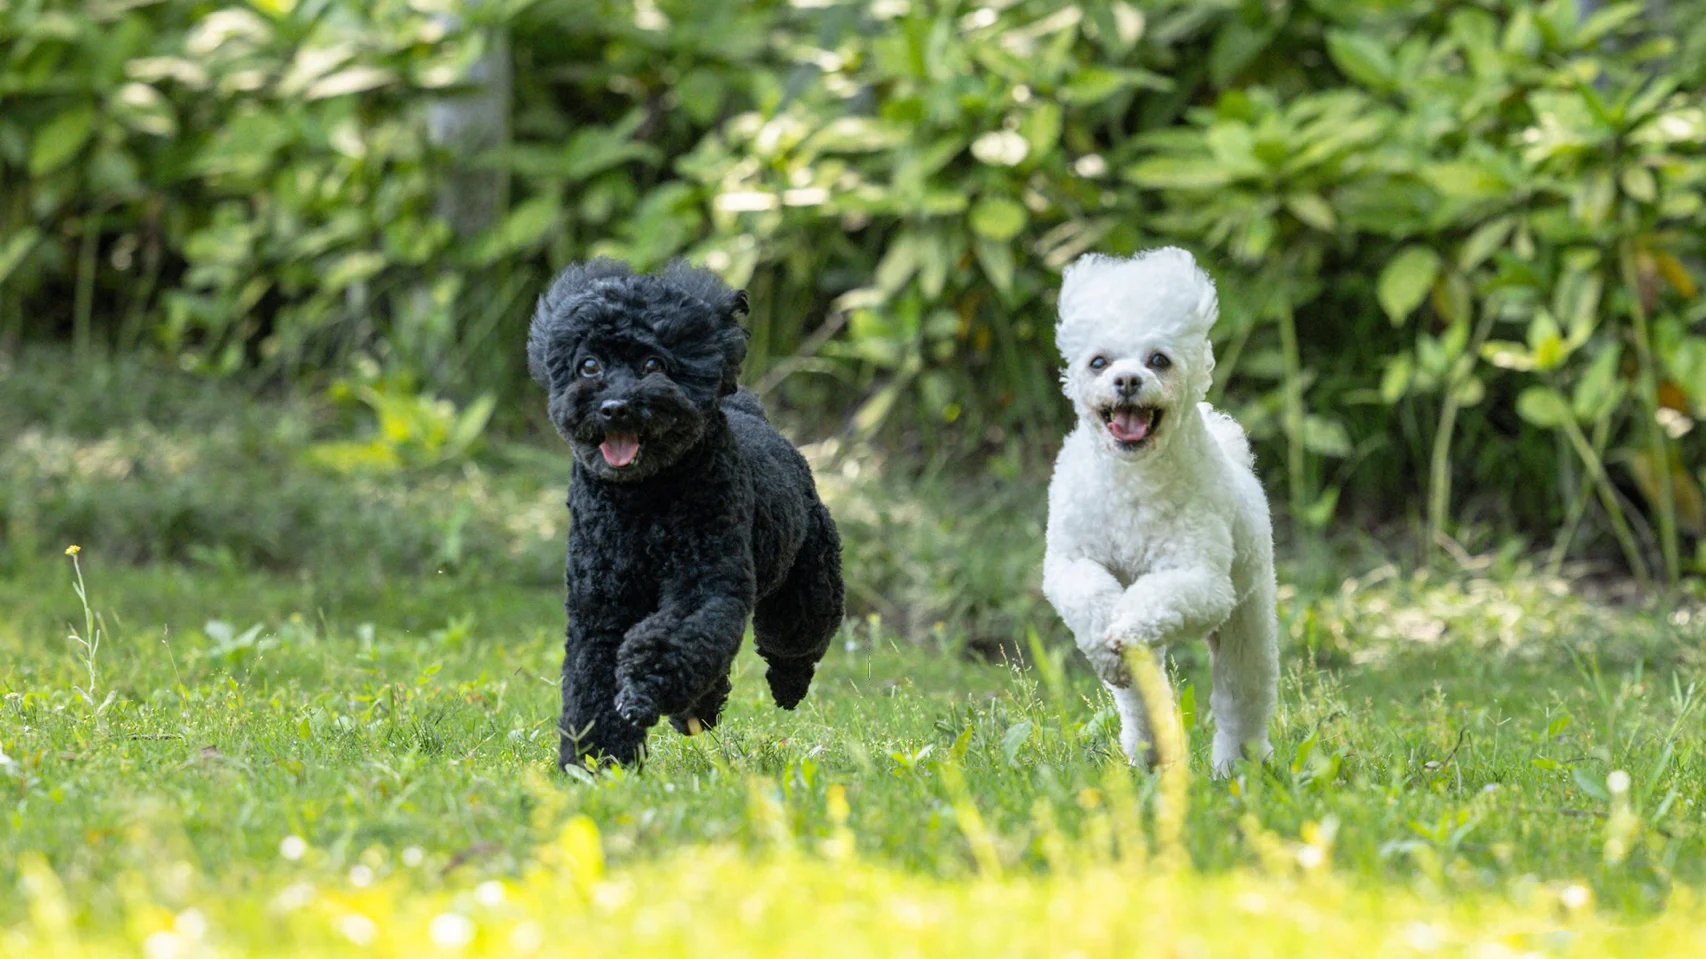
1246, 682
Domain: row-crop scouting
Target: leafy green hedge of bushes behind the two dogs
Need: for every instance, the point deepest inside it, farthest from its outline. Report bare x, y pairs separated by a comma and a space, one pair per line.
1459, 245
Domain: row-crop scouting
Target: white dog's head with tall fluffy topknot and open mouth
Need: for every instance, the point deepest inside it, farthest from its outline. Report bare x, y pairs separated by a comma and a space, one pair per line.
1135, 340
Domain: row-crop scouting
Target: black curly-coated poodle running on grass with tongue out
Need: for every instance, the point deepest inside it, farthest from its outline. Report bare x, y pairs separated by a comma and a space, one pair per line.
690, 511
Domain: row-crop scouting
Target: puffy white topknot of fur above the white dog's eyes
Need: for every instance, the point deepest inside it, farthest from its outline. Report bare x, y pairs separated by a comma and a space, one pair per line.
1161, 291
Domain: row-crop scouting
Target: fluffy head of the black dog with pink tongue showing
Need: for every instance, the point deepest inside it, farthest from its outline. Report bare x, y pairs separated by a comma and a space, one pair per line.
635, 366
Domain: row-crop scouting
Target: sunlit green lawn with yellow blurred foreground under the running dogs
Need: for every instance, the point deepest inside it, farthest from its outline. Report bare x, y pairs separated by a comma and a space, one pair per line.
286, 758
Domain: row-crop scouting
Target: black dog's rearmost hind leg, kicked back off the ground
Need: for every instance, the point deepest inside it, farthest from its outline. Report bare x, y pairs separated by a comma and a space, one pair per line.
796, 624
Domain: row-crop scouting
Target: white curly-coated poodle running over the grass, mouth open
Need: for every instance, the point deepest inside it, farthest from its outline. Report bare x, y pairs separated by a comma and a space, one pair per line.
1159, 530
